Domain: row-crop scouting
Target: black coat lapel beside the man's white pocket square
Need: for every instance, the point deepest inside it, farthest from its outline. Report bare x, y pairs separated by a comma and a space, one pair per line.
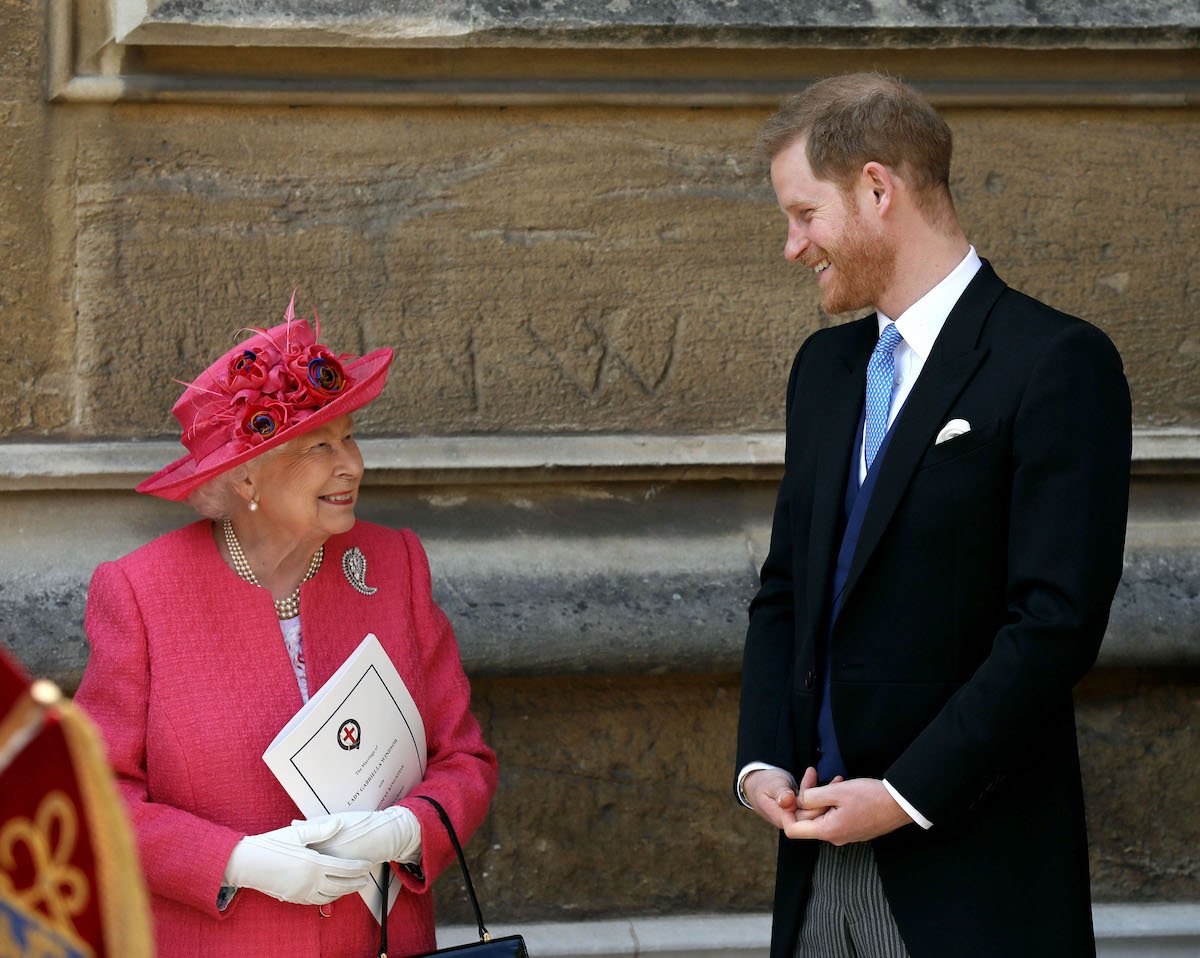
952, 363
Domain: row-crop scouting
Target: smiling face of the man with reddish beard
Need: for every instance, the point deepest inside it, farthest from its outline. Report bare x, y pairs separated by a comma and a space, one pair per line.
853, 258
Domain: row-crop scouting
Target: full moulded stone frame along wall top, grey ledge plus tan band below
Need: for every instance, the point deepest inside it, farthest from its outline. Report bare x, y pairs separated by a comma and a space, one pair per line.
670, 53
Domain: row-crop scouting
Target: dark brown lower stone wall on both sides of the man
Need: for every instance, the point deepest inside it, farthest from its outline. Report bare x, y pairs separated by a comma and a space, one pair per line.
595, 773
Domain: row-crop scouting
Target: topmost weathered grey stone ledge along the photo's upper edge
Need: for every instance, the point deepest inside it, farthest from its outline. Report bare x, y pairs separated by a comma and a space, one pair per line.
658, 23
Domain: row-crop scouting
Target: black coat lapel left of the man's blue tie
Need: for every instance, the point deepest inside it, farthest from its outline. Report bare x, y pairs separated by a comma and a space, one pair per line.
837, 417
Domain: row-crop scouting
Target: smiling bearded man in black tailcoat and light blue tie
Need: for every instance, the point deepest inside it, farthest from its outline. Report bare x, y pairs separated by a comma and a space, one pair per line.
946, 547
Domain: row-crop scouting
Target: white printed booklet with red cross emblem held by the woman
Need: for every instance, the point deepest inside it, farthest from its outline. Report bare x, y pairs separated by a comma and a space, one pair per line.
358, 745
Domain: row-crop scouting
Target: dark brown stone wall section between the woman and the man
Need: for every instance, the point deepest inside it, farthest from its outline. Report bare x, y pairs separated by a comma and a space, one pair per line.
596, 775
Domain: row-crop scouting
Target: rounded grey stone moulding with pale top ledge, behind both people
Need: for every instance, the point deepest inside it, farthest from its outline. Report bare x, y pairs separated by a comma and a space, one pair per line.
554, 555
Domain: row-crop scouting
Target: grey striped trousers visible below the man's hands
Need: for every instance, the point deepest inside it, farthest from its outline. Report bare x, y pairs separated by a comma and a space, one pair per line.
848, 915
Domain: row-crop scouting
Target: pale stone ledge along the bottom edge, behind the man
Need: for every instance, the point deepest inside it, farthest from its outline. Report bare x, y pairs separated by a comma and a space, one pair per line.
1162, 931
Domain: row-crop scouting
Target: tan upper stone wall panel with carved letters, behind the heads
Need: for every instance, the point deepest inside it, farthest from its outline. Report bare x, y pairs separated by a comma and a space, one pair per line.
538, 271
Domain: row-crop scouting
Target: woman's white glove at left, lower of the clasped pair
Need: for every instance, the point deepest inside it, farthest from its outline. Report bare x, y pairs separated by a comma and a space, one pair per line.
278, 864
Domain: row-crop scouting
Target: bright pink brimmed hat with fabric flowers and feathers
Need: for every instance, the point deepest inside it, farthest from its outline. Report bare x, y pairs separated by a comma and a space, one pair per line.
277, 386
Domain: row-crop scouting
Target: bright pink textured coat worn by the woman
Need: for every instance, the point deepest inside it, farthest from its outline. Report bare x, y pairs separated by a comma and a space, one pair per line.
190, 681
